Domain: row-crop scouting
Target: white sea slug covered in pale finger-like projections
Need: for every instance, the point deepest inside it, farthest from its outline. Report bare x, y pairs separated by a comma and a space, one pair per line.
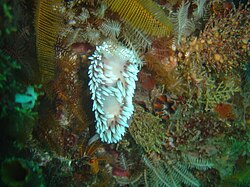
112, 72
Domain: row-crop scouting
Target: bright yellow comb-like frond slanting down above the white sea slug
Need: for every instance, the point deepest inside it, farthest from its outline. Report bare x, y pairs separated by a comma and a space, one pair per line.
150, 18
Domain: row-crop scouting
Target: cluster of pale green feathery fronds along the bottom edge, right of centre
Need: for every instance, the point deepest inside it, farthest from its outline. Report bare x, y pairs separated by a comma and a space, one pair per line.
173, 172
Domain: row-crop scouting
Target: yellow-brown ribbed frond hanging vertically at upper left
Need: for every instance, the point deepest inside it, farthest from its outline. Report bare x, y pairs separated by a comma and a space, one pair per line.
48, 22
